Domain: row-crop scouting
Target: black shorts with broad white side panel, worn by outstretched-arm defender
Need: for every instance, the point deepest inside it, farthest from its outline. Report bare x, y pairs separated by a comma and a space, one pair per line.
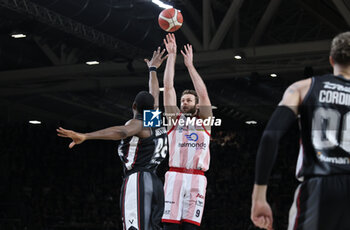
142, 201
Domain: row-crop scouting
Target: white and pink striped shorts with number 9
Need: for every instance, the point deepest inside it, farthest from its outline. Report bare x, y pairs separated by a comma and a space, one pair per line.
184, 197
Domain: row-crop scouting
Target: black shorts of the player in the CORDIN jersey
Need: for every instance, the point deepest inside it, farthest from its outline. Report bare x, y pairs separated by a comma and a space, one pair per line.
321, 203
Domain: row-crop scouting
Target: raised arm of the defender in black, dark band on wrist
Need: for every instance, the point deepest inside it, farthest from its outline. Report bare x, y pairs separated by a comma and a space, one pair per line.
153, 65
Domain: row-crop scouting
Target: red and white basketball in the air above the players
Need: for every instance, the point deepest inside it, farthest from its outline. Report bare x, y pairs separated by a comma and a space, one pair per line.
170, 20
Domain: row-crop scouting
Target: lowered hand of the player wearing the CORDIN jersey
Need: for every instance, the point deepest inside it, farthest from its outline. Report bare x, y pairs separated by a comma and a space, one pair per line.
261, 214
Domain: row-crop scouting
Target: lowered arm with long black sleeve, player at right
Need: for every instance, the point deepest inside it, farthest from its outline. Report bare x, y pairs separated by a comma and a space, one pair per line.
280, 122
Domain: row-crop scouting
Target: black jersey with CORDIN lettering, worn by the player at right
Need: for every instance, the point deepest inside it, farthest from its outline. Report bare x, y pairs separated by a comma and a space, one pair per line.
325, 128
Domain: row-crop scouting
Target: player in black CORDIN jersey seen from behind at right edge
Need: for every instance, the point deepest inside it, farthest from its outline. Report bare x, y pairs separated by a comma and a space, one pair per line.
322, 199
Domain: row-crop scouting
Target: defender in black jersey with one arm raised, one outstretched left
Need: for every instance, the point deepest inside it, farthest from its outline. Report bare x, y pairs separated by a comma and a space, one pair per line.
141, 150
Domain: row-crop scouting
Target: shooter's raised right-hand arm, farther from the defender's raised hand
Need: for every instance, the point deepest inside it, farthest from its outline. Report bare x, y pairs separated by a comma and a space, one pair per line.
205, 109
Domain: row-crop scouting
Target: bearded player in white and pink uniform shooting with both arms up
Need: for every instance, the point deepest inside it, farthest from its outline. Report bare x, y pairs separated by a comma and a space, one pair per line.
185, 183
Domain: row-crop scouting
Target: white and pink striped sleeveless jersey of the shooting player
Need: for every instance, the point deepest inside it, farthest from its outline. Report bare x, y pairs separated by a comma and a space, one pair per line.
188, 145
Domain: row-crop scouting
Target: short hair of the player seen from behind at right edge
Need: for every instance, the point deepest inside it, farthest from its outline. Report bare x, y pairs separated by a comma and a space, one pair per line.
340, 49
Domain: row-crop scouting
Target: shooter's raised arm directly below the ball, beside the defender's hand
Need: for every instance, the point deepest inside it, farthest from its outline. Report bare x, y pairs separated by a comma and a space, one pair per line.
170, 104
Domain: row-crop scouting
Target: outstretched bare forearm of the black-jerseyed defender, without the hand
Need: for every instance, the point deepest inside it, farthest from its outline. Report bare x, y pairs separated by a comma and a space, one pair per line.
112, 133
